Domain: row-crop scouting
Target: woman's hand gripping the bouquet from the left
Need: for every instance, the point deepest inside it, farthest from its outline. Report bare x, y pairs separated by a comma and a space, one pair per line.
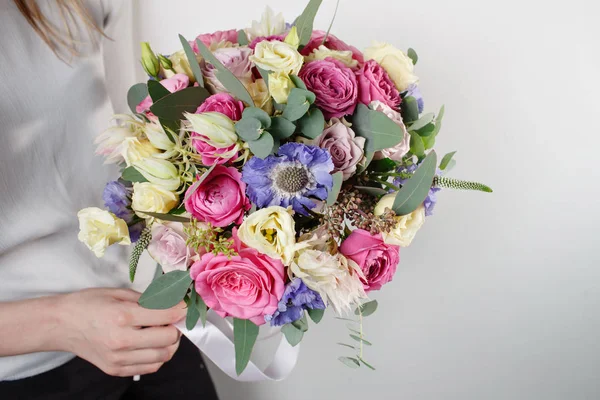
109, 329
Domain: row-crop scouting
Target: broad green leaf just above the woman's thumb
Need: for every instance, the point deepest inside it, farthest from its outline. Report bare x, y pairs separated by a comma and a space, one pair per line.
166, 291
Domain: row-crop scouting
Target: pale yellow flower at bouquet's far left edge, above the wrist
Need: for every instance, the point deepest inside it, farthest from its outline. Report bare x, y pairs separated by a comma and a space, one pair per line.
99, 229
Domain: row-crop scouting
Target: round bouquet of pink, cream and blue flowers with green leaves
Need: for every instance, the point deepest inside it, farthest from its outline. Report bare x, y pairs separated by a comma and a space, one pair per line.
272, 172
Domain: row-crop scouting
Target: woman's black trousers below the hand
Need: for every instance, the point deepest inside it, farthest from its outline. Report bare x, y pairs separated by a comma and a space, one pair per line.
184, 377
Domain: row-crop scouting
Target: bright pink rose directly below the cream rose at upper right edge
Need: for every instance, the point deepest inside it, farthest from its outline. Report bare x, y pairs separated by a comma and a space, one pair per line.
375, 84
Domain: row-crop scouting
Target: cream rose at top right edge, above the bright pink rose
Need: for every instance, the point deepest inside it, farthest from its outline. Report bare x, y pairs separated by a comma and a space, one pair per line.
397, 64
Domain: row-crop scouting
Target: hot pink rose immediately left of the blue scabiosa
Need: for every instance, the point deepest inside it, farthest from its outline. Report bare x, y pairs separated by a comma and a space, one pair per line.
220, 199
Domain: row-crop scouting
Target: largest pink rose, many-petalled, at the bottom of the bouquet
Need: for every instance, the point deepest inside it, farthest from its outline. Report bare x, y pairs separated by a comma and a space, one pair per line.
246, 286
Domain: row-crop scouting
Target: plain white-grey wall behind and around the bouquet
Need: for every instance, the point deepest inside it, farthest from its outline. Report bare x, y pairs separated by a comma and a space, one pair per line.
499, 295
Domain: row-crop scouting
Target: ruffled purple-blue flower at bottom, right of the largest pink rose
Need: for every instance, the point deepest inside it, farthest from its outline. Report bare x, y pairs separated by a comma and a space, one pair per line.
297, 297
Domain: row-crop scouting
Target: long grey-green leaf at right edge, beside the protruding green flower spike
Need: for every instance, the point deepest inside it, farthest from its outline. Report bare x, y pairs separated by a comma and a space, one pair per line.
415, 190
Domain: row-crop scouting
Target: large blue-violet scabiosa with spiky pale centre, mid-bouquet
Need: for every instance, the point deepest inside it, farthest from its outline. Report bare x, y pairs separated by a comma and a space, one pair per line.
293, 177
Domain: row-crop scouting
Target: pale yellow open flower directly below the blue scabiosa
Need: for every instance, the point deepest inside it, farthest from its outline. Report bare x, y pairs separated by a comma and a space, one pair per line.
270, 231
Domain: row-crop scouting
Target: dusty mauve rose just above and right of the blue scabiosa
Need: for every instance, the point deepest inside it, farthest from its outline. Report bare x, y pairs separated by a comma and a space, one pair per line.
345, 147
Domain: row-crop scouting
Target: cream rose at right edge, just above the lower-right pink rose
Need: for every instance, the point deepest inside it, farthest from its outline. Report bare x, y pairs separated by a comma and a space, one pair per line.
406, 225
